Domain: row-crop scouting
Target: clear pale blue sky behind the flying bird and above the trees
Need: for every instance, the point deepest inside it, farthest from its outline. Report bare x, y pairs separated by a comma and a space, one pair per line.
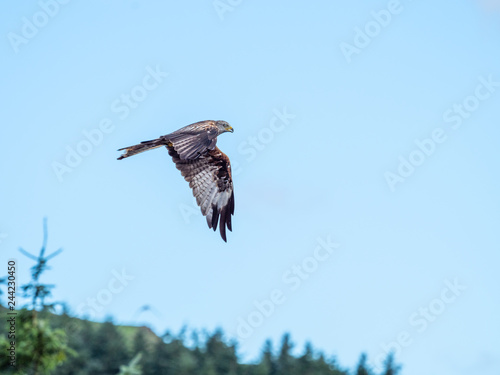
370, 125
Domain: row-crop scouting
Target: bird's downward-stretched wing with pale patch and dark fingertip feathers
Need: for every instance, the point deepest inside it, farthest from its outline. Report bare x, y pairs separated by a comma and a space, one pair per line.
209, 175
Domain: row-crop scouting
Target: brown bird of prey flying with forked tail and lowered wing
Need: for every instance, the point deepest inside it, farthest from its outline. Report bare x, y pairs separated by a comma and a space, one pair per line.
207, 169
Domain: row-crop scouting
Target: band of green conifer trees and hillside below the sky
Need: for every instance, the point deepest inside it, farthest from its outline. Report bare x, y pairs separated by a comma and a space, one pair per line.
47, 343
